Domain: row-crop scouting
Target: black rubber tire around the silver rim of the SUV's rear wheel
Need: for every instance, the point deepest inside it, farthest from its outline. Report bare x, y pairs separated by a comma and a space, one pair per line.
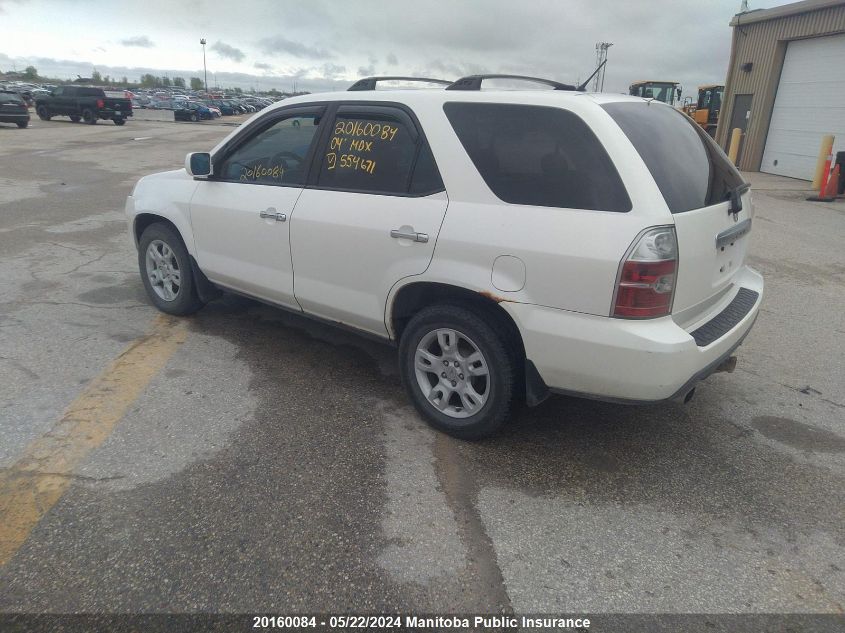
500, 365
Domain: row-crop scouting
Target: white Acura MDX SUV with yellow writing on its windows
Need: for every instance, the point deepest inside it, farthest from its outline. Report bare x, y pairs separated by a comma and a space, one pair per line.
511, 243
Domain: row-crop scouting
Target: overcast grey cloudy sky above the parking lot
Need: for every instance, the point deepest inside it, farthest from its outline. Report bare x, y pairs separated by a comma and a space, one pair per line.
323, 45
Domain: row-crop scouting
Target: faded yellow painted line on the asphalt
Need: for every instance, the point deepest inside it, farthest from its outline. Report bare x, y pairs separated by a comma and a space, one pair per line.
34, 483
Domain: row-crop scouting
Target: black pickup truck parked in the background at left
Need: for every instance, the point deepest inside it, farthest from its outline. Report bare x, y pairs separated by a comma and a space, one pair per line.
84, 103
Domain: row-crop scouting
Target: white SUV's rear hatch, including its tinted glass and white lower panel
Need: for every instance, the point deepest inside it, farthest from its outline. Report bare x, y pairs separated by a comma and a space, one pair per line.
708, 198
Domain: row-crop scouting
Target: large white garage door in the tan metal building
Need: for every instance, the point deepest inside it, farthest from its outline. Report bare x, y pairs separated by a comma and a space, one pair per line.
810, 103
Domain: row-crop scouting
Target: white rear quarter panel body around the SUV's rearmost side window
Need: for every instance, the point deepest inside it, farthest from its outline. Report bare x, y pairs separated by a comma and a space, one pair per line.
571, 256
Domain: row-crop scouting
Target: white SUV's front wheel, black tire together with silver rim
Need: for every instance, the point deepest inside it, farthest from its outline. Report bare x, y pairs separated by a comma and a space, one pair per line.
166, 271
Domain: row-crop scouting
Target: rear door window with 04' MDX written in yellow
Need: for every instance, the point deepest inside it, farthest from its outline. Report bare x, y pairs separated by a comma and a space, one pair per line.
370, 153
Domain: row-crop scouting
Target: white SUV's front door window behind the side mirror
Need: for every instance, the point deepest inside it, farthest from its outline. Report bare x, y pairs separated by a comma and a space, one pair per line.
275, 156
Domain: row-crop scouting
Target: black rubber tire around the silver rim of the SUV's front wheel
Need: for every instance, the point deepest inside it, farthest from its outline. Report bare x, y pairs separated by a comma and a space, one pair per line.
186, 300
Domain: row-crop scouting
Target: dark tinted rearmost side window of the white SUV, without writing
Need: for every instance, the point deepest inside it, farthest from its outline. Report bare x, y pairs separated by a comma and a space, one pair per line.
538, 155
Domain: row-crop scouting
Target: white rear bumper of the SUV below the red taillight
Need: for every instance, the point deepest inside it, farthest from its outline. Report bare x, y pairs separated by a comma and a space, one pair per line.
627, 361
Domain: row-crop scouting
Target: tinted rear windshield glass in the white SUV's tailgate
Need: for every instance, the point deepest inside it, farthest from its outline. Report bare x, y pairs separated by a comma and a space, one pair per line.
690, 170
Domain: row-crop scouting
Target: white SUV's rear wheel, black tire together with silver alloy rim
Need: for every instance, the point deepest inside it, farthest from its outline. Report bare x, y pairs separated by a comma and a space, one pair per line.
457, 371
